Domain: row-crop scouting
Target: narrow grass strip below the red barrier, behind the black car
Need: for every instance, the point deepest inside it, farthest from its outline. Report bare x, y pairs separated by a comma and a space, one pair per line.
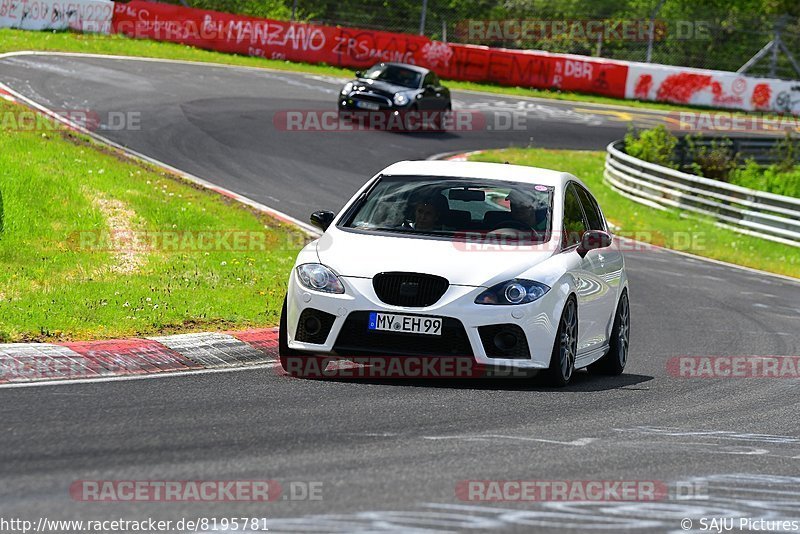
15, 40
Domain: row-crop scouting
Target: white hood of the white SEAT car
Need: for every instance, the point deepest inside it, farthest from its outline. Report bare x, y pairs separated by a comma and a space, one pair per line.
462, 263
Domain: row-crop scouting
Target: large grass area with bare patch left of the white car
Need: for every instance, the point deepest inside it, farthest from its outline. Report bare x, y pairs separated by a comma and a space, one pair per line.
57, 286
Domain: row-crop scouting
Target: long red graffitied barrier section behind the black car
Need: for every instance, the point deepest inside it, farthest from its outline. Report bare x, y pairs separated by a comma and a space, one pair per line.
355, 48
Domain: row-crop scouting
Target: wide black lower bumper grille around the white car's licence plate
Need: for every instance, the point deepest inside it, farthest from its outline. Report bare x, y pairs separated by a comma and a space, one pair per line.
355, 339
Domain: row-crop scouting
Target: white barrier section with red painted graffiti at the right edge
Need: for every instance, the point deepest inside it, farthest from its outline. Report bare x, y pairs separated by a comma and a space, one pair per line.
713, 88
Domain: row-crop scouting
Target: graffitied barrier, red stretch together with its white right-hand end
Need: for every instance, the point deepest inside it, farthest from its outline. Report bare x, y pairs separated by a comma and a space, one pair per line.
354, 47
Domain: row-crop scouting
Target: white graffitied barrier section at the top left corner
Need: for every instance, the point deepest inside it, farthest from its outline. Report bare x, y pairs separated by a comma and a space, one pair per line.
80, 15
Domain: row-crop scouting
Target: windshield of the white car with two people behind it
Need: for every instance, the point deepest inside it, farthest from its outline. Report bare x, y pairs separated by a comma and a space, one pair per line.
453, 207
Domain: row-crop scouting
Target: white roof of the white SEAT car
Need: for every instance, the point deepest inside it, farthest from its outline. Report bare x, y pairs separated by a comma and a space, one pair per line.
486, 171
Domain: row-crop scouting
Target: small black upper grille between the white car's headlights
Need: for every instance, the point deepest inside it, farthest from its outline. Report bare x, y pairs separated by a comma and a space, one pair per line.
409, 289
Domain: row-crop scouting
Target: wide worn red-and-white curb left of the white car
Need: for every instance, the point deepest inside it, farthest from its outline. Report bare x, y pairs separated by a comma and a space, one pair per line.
46, 363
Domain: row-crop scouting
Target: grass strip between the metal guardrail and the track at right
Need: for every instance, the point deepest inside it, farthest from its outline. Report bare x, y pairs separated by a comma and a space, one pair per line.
663, 228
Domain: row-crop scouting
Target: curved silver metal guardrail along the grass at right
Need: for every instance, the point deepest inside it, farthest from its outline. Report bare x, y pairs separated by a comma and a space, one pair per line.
765, 215
